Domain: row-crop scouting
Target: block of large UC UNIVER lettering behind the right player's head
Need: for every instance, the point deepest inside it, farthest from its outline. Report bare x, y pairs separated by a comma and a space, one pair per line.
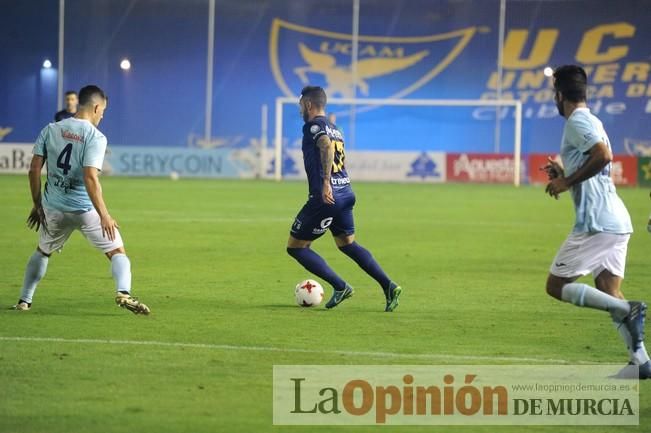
613, 54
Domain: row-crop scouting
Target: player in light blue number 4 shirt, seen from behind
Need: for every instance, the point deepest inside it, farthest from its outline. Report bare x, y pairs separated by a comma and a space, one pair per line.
73, 150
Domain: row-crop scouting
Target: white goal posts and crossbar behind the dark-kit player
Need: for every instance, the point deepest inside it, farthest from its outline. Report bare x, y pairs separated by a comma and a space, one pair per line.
517, 141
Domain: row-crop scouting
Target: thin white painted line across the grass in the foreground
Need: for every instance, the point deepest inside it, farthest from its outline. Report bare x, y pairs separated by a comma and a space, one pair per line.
230, 347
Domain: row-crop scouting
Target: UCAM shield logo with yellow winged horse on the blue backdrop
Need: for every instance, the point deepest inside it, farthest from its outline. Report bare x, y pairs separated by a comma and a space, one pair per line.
301, 55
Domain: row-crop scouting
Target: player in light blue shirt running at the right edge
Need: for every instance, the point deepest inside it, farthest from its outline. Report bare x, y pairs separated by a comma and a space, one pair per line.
602, 228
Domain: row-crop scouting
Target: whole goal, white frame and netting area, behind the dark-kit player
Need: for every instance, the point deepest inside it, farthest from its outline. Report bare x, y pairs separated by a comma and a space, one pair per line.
380, 133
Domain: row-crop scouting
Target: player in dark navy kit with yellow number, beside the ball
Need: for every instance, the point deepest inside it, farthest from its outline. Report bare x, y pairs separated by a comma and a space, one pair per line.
330, 204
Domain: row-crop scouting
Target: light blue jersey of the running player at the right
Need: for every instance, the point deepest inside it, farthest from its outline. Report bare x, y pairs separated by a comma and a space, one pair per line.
598, 207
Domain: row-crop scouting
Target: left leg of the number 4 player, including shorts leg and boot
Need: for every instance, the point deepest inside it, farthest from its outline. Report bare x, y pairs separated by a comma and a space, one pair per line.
50, 240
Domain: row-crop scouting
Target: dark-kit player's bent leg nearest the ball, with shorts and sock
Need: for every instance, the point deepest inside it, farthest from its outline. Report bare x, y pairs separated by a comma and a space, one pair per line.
311, 222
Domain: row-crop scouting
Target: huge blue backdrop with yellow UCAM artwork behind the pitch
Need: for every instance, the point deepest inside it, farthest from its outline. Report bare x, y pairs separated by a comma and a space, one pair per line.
265, 49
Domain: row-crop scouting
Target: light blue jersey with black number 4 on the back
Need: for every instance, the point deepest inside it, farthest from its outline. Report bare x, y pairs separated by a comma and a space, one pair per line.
68, 146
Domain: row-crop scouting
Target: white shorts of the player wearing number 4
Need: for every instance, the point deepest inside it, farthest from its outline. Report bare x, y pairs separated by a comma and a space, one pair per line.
60, 226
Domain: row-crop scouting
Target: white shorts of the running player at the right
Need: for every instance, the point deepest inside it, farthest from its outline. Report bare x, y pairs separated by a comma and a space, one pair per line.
585, 253
